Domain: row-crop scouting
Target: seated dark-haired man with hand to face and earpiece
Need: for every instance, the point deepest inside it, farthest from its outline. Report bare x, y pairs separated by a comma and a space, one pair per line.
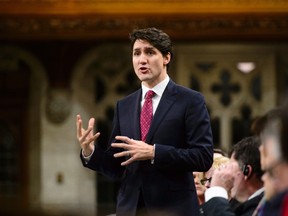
236, 187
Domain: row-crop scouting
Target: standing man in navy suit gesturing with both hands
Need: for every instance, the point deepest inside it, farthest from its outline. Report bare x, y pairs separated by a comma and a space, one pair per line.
155, 168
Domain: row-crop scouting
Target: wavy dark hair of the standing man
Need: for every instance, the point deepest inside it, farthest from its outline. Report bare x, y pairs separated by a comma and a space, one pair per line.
154, 36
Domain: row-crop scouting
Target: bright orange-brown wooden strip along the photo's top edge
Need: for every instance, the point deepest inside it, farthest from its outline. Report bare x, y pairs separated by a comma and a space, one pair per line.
140, 6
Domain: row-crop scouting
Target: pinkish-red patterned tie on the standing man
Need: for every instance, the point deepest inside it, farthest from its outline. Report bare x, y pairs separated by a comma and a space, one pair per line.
146, 114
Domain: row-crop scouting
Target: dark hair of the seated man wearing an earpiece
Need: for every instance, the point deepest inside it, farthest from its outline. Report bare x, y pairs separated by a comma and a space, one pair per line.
246, 152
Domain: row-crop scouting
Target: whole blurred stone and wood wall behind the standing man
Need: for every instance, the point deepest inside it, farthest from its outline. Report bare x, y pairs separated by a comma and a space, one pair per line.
59, 58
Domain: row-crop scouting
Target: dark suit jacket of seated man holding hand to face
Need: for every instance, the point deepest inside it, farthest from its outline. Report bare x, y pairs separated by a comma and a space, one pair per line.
219, 206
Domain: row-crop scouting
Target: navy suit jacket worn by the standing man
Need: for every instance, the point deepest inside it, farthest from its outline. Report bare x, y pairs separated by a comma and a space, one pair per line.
182, 134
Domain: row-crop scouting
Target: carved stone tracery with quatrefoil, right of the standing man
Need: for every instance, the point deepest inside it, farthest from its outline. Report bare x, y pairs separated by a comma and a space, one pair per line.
234, 98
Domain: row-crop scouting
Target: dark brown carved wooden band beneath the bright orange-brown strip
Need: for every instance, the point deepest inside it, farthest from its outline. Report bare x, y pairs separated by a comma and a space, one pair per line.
182, 27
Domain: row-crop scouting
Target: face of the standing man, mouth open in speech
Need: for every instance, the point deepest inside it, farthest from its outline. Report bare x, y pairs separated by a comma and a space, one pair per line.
149, 63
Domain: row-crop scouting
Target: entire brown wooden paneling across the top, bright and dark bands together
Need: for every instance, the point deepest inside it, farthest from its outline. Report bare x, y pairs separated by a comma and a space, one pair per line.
205, 19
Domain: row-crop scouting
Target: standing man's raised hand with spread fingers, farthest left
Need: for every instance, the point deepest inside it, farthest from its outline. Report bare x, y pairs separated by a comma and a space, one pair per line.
86, 138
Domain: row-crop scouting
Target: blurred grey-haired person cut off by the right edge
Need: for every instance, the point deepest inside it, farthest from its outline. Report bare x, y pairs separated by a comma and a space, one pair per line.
274, 161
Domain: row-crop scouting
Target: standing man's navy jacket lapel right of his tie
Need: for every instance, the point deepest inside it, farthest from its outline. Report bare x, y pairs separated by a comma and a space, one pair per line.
166, 101
